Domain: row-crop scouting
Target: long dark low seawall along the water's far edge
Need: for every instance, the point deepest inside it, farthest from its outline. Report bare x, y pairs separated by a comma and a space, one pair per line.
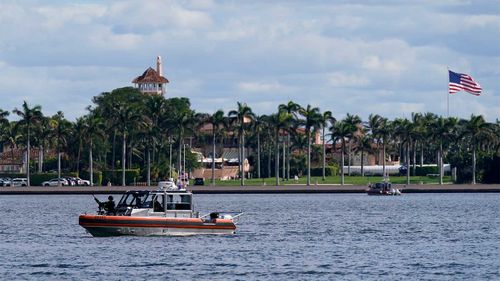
269, 189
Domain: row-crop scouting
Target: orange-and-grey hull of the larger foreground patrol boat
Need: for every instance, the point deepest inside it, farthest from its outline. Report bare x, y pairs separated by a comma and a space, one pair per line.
102, 226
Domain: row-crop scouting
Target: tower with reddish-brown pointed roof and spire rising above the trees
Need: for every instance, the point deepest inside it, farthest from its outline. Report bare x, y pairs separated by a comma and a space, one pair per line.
152, 81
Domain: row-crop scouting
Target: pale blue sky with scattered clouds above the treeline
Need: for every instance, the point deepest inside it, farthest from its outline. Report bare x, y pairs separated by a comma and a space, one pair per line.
383, 57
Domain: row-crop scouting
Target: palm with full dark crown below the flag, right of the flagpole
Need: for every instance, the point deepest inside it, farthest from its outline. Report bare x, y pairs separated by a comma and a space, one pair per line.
475, 131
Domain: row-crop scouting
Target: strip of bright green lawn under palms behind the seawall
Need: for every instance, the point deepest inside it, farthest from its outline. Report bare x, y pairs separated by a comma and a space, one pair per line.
354, 180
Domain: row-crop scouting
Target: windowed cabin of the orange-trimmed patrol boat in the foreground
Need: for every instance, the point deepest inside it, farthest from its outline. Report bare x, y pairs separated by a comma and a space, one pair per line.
169, 203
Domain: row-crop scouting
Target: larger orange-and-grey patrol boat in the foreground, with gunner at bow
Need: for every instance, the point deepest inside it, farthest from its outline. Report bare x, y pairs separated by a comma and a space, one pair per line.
167, 211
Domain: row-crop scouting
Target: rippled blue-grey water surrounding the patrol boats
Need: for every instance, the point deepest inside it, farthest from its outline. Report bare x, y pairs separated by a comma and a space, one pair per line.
281, 237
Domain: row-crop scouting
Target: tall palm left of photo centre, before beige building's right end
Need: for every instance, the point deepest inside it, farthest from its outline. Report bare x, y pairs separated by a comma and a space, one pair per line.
242, 115
